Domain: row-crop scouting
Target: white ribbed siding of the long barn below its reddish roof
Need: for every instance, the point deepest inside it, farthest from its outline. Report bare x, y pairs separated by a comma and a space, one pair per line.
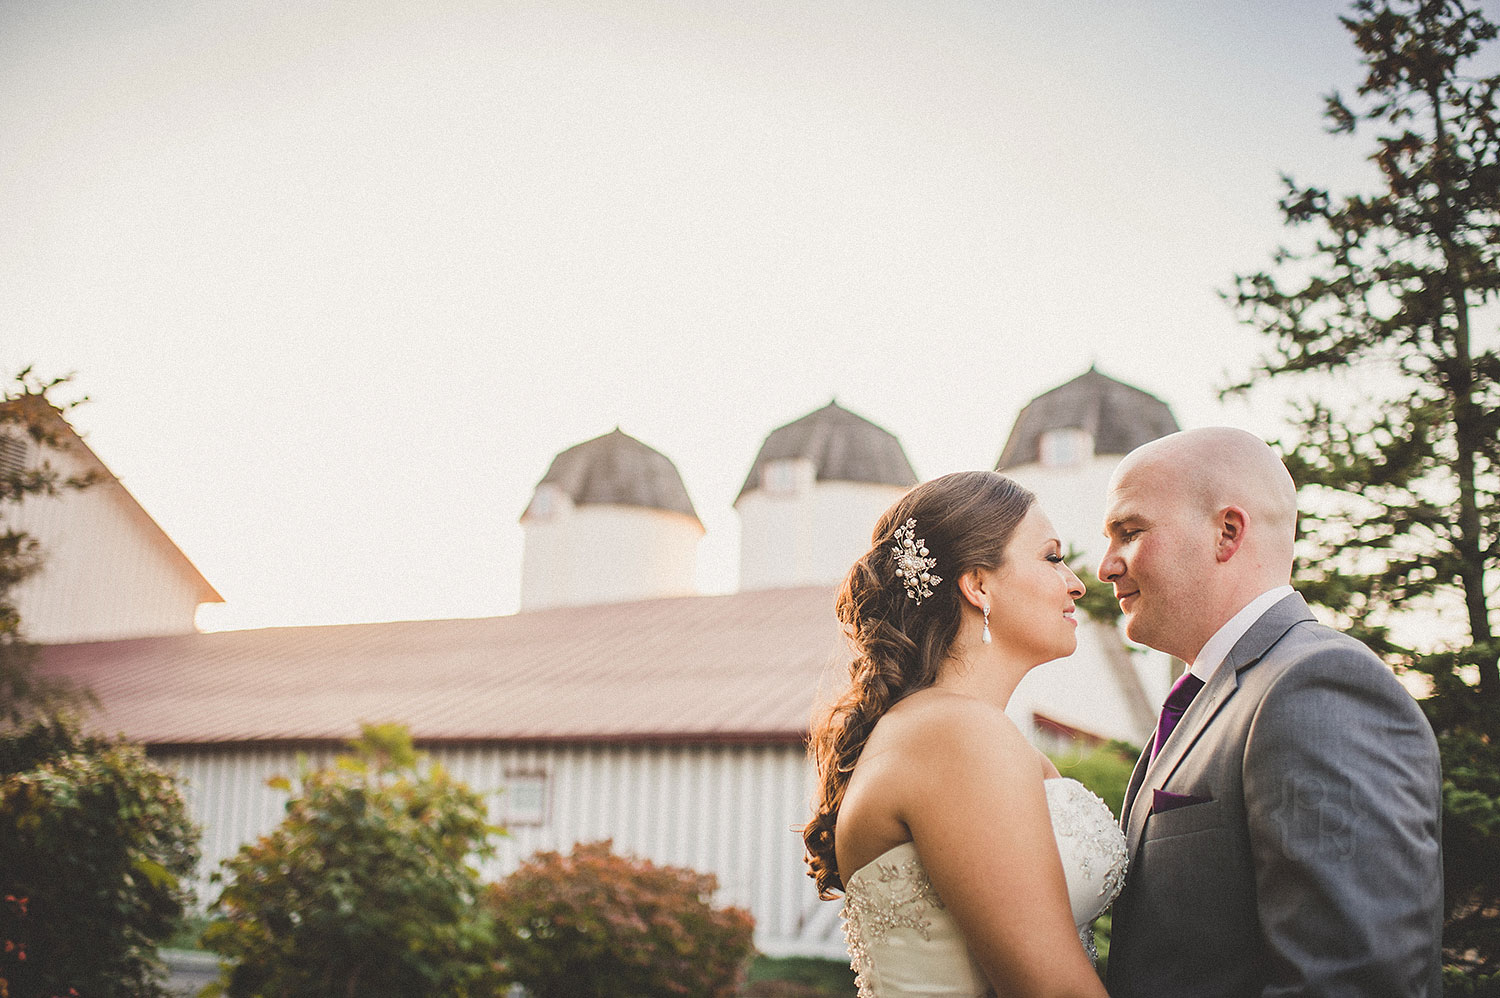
731, 811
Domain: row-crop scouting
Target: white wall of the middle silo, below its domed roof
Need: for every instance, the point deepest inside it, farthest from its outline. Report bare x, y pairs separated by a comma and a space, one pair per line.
809, 538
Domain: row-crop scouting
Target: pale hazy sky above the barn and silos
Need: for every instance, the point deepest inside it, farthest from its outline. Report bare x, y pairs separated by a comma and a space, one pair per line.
343, 278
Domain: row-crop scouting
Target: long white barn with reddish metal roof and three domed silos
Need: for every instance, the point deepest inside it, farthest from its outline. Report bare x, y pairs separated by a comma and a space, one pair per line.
670, 723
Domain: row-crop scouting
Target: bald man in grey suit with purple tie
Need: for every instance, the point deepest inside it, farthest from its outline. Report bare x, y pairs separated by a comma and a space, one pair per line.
1283, 823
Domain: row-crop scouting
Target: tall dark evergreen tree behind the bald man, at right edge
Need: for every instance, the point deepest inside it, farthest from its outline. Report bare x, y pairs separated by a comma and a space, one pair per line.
1400, 493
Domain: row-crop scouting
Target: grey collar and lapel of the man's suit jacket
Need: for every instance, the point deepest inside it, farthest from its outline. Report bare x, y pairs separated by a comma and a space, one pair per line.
1249, 651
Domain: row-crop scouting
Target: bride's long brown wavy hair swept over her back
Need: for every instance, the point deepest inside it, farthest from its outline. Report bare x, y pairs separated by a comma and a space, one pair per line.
965, 520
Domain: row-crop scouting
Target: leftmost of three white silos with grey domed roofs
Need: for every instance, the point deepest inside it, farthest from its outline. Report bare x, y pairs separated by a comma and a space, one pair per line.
610, 522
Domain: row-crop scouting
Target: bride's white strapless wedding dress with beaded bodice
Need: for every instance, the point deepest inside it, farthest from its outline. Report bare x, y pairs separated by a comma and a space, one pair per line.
902, 942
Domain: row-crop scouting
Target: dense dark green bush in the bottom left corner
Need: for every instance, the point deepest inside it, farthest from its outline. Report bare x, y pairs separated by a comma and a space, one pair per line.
95, 852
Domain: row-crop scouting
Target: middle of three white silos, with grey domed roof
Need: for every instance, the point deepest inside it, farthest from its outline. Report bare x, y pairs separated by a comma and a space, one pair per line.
814, 496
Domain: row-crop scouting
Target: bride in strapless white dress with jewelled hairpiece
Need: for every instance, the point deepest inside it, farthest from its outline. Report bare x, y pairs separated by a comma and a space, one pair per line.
968, 865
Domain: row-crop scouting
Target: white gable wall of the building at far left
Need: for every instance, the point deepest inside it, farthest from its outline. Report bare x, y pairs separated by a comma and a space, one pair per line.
107, 573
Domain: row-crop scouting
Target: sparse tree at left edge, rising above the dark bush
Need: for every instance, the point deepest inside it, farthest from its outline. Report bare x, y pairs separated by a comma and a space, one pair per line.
28, 415
